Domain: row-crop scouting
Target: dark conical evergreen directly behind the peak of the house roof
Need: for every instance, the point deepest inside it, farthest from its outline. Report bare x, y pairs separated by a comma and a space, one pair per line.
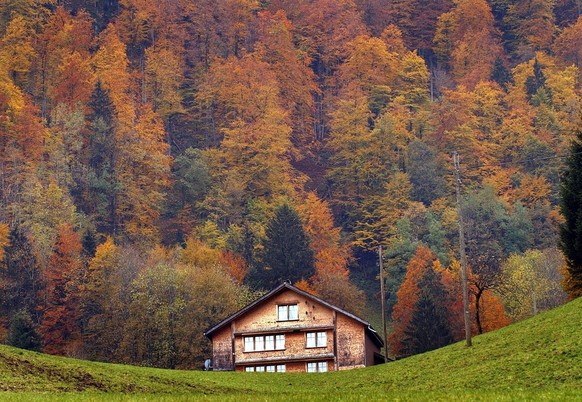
287, 254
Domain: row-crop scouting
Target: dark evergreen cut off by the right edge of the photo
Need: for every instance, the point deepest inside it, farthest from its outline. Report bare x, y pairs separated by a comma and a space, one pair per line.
571, 229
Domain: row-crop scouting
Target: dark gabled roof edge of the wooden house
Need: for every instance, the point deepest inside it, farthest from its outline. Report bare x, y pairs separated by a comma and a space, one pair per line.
286, 286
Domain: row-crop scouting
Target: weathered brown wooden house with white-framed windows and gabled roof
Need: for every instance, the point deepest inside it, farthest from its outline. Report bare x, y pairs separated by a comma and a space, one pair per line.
290, 330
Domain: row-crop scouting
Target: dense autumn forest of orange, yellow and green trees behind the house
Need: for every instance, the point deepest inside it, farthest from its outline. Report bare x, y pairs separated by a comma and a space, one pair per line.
164, 163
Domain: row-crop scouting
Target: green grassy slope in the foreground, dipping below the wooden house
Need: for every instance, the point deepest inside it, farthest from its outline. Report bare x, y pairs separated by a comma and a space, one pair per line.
540, 358
